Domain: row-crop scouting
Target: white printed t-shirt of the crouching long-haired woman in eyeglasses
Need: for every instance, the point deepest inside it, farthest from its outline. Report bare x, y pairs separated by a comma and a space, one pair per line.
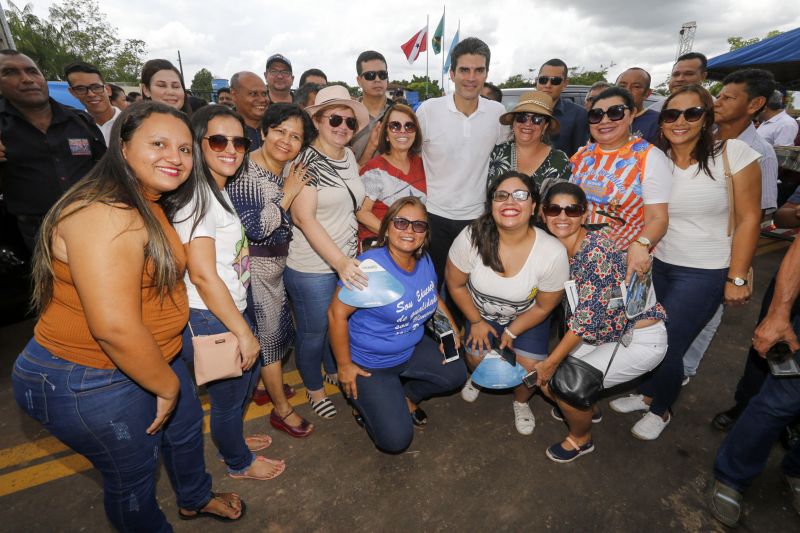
502, 299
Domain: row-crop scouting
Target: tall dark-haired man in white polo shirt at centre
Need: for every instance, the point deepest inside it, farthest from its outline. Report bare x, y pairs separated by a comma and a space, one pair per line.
459, 132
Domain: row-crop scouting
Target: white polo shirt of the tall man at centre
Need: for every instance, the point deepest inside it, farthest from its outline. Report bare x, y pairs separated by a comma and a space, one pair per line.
455, 153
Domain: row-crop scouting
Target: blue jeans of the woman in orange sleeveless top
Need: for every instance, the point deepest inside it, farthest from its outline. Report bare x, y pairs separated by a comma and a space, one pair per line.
103, 415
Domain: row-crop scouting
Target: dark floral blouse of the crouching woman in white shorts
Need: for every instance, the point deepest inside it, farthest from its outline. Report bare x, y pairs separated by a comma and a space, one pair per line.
597, 269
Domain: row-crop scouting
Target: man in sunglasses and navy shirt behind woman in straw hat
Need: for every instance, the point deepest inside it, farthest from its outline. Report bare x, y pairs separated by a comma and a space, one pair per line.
574, 130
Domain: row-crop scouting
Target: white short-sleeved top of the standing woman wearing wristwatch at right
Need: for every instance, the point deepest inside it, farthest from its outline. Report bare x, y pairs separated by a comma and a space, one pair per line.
697, 235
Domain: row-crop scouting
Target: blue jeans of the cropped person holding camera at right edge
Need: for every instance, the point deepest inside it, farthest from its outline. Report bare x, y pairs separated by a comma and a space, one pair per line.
745, 450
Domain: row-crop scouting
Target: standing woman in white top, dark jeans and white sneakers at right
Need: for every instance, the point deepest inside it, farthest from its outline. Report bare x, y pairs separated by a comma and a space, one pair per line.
702, 261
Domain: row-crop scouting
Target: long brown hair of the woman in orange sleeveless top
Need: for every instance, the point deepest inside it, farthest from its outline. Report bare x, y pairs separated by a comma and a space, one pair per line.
113, 182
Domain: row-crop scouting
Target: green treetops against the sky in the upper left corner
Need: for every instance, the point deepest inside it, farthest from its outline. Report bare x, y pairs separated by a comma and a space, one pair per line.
75, 30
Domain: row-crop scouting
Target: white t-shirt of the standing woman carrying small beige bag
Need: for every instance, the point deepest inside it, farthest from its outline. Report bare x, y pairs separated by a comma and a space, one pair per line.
230, 244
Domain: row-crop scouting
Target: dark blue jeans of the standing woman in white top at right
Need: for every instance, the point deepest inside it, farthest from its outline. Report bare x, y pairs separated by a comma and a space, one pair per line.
691, 297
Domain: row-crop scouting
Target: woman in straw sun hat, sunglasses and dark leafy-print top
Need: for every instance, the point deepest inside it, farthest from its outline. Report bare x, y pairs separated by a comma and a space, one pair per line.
530, 151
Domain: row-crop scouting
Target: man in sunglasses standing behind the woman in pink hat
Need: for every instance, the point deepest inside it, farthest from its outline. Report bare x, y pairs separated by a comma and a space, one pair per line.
373, 78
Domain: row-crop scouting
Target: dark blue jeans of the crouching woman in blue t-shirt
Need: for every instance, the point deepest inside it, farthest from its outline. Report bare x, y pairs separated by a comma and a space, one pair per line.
381, 397
